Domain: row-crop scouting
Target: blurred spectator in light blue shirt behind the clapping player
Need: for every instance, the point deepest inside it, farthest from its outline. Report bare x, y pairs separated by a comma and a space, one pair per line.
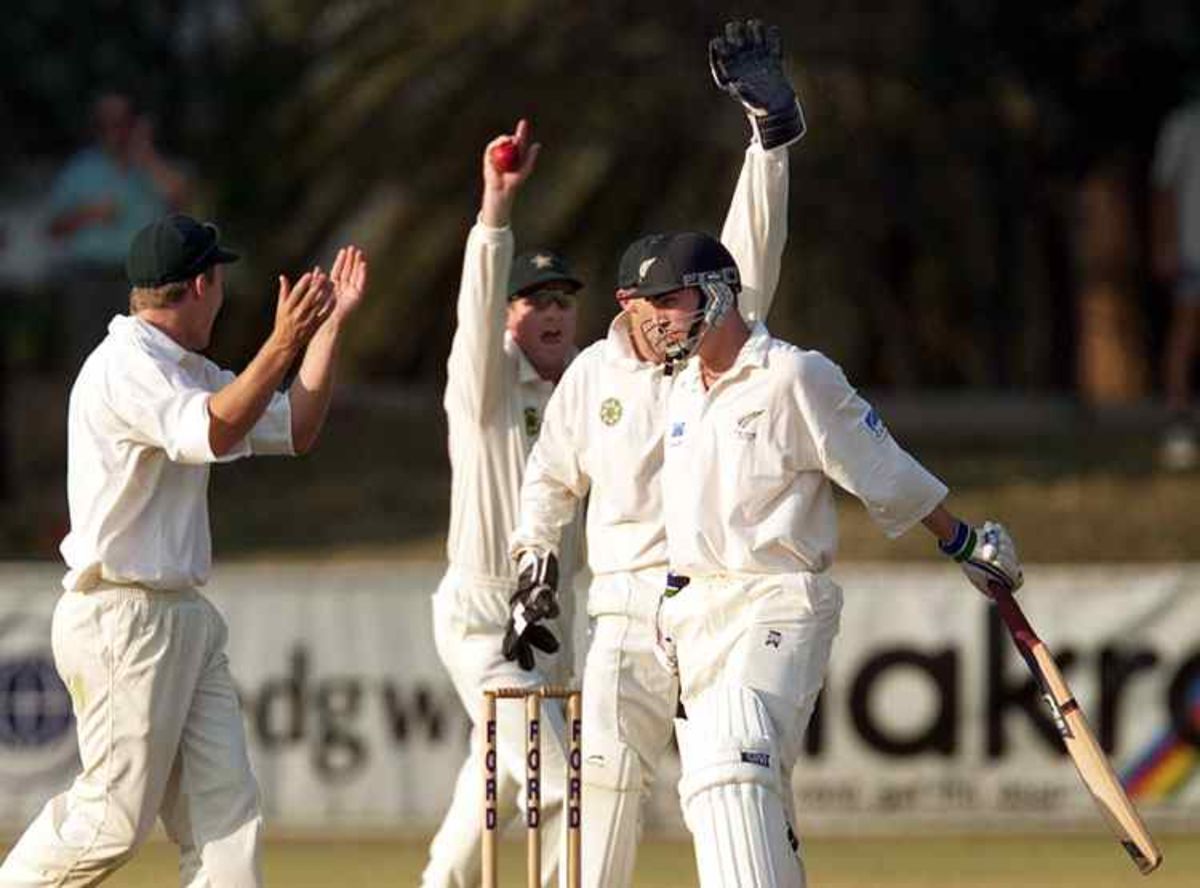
101, 199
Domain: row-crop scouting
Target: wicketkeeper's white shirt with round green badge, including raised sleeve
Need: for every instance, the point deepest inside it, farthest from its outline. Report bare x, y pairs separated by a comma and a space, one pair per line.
602, 436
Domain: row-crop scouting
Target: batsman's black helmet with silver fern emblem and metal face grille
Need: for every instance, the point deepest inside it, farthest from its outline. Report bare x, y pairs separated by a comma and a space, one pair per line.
683, 261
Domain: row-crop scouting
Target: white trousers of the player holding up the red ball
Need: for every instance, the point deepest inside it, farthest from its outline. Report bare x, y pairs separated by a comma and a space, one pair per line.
470, 614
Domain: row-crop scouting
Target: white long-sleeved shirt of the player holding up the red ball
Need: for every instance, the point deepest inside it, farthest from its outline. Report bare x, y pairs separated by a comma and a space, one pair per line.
495, 403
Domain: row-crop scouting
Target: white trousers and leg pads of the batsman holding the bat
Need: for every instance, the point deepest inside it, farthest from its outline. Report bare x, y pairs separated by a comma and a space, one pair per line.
753, 653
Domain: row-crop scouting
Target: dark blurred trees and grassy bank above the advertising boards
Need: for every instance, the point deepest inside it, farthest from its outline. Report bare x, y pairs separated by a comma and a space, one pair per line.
969, 225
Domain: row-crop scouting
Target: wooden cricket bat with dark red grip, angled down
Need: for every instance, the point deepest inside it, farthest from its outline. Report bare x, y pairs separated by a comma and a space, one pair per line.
1085, 752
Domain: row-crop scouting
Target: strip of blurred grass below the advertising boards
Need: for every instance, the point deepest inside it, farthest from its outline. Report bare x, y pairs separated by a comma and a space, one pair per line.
913, 862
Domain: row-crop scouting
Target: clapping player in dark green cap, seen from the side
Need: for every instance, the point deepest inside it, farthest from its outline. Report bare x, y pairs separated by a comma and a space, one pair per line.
137, 645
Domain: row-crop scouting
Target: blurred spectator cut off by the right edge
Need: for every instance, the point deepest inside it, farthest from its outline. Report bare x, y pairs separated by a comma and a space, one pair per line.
1175, 260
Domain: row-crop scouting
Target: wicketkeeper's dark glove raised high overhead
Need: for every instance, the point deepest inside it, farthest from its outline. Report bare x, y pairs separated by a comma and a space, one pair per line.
748, 63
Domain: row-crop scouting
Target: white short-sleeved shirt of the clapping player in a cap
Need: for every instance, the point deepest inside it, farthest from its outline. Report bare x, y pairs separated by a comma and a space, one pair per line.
139, 460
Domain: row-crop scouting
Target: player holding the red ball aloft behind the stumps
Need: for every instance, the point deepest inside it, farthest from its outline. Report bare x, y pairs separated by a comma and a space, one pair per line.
514, 339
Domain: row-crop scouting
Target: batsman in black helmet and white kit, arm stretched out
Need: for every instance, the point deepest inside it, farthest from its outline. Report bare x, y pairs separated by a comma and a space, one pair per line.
758, 434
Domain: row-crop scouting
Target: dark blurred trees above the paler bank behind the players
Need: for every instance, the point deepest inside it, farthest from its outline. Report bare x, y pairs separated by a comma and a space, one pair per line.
935, 207
